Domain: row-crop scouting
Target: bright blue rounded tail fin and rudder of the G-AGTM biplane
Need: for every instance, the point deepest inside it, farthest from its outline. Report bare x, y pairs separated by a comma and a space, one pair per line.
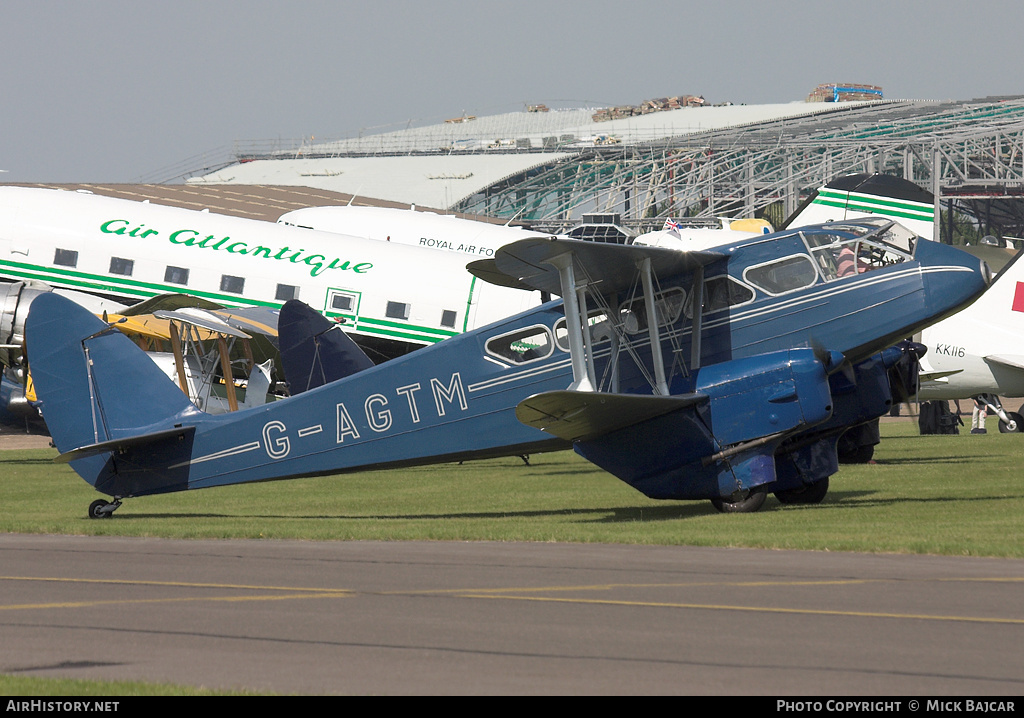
94, 384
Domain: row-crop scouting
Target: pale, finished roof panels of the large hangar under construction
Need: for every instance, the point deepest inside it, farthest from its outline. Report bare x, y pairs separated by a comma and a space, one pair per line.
442, 165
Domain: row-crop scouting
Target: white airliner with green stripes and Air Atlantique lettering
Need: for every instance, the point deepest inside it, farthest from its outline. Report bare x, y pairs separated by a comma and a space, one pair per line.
394, 297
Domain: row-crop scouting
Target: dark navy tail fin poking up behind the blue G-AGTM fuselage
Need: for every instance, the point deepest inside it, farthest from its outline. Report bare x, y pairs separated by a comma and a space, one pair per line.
314, 351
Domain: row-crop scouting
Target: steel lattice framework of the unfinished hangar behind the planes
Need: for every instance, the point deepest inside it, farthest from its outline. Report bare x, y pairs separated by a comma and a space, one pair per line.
969, 154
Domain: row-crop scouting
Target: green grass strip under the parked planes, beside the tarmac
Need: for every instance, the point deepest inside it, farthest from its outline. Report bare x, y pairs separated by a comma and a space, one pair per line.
960, 495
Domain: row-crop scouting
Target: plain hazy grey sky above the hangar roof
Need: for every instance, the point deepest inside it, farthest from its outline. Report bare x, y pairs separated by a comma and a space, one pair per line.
129, 92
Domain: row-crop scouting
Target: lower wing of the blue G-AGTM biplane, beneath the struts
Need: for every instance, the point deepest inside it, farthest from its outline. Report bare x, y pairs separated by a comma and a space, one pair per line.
581, 415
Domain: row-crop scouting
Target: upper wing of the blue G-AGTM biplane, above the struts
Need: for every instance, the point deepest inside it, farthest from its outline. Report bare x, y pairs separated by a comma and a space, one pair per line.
613, 268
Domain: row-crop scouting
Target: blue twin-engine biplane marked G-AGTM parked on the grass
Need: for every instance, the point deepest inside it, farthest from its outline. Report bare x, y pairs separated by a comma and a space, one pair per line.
723, 374
